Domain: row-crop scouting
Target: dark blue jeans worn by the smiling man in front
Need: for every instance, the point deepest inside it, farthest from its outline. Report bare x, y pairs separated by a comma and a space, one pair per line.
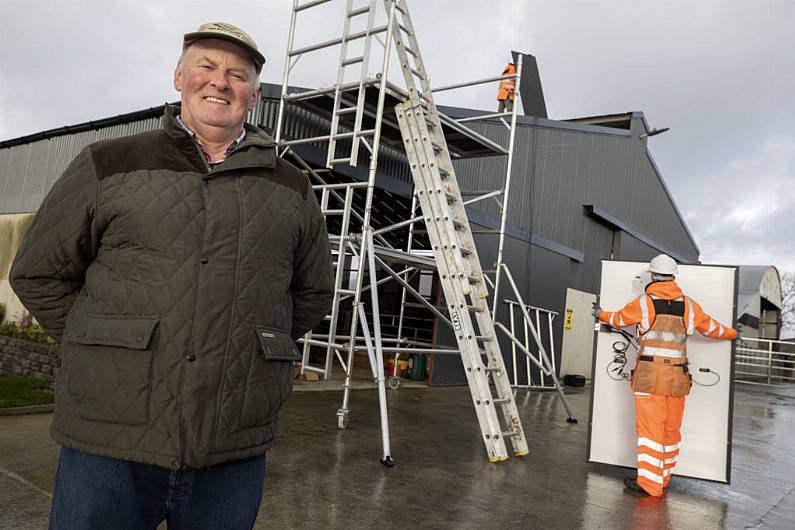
94, 492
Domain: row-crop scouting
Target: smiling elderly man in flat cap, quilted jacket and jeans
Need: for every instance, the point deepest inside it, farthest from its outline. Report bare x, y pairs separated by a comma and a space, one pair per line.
176, 268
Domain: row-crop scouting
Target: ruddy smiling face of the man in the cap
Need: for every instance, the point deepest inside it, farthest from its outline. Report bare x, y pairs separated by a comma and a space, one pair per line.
219, 85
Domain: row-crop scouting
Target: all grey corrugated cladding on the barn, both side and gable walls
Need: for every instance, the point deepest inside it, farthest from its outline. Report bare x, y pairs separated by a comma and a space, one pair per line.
558, 167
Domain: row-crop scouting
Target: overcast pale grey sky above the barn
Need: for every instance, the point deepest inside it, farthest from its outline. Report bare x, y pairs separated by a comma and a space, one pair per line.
720, 74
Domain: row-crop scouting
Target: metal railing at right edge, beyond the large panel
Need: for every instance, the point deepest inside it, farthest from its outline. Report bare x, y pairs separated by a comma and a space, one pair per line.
764, 361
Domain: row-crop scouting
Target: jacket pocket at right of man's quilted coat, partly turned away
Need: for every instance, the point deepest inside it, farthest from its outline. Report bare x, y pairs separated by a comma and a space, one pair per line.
270, 376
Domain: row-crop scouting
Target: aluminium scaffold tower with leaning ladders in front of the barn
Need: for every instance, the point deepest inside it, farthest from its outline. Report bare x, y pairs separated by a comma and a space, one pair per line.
365, 110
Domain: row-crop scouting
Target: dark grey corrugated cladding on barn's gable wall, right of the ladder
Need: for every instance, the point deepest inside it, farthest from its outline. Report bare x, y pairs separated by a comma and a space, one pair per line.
556, 171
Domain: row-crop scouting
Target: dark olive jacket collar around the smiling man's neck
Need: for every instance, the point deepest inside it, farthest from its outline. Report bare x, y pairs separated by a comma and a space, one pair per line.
257, 149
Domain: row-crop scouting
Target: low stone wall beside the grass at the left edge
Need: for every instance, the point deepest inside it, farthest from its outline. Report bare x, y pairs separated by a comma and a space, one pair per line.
28, 359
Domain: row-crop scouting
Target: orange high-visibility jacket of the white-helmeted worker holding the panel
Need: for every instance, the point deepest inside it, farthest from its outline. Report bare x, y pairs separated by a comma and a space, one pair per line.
640, 311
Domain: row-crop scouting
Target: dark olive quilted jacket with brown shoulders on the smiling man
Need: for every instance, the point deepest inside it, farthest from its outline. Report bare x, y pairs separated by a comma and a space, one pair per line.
176, 293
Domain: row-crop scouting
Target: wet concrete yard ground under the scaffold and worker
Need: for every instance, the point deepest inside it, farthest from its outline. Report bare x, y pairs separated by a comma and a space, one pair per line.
321, 477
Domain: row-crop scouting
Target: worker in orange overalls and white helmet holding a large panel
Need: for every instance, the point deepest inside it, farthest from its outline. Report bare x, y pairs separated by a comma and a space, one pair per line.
665, 318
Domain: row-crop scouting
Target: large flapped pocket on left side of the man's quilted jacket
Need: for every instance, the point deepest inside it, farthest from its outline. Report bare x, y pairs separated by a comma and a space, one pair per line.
108, 364
